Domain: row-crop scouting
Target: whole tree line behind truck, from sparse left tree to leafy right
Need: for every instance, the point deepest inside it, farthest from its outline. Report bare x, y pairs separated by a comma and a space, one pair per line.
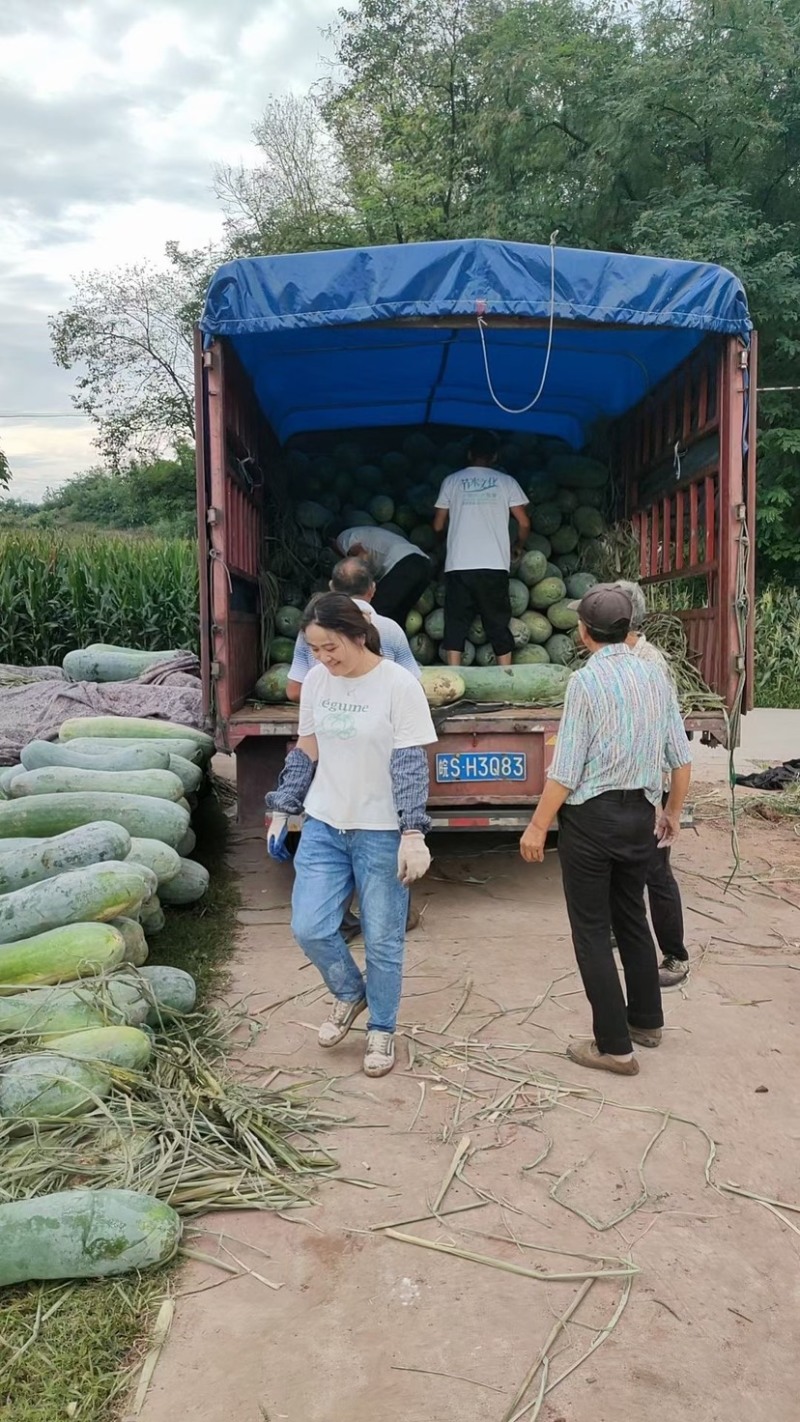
669, 127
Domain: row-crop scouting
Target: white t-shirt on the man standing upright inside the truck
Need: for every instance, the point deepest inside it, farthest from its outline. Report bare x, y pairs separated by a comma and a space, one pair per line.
478, 501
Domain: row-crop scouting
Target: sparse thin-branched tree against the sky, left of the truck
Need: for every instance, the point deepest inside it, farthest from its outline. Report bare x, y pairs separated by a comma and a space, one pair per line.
129, 335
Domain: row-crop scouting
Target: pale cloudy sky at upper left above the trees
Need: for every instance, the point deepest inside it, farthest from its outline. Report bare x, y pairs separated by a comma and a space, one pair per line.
113, 114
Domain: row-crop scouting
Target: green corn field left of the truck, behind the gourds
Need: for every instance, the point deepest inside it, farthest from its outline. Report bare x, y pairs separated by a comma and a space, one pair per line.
62, 592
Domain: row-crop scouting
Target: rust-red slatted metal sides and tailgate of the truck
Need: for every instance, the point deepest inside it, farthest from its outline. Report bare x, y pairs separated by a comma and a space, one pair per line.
686, 463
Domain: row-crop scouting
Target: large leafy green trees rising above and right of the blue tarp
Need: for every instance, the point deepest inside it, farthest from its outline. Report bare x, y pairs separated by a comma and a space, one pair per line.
670, 129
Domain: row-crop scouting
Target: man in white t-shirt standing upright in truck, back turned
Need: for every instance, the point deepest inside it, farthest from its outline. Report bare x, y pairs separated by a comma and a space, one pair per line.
474, 506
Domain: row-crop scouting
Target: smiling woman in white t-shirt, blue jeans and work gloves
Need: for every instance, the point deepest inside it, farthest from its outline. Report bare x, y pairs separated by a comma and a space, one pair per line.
360, 774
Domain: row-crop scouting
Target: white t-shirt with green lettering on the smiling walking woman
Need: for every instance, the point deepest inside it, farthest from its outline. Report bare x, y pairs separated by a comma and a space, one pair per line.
359, 722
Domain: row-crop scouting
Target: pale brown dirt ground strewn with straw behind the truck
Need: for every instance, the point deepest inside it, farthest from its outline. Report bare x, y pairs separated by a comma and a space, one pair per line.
369, 1326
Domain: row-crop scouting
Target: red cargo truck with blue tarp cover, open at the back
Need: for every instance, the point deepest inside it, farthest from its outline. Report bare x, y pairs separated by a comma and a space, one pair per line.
654, 359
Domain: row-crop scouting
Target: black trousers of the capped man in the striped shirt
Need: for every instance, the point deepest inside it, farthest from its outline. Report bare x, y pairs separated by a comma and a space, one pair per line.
606, 852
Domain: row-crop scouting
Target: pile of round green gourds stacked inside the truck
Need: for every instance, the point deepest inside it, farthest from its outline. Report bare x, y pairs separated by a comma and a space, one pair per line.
393, 481
